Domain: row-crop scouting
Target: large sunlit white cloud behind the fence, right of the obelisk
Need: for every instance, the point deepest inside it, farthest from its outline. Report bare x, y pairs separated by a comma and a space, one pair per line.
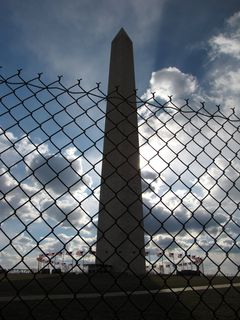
191, 184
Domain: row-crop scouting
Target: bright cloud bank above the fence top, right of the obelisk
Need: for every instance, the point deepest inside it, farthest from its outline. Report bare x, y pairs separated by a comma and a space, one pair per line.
220, 82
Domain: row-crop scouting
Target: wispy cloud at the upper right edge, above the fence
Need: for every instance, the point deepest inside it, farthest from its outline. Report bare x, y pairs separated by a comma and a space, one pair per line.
223, 73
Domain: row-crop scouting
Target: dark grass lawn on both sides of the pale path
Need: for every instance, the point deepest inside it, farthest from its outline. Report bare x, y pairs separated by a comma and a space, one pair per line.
208, 304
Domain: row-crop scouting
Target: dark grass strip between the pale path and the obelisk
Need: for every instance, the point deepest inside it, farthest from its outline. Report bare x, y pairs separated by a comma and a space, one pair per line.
85, 283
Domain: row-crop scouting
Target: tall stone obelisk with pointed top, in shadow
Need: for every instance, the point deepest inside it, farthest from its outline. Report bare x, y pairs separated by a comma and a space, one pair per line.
120, 238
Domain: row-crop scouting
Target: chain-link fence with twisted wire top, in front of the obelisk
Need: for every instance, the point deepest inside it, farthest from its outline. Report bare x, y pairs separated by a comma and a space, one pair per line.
51, 144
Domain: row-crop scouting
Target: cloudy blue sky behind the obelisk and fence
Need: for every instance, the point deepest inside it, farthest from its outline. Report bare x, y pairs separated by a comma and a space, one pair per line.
188, 49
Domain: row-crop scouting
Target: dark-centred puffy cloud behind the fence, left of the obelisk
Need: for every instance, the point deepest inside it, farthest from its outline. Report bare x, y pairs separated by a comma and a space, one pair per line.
46, 185
